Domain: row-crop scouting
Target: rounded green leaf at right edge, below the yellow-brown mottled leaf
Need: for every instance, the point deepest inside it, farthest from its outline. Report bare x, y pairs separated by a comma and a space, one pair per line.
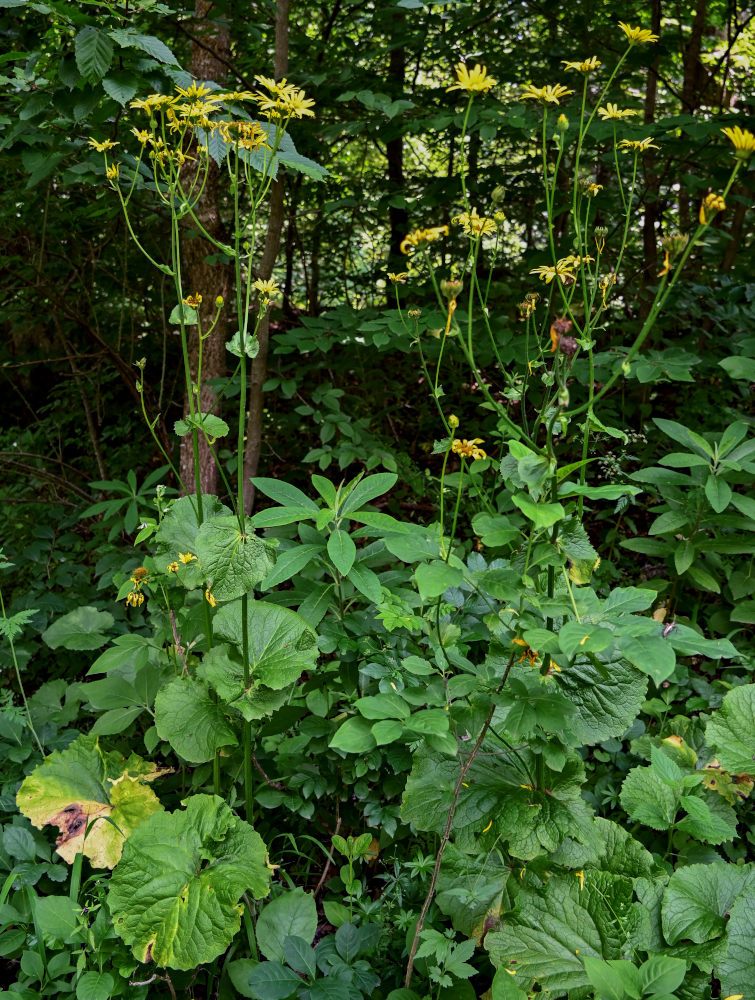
698, 898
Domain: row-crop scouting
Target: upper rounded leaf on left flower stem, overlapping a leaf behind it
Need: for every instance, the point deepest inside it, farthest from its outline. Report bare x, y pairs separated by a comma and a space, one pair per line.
232, 561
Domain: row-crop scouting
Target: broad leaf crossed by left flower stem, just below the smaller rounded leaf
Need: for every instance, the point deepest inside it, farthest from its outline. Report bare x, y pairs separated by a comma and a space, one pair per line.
282, 645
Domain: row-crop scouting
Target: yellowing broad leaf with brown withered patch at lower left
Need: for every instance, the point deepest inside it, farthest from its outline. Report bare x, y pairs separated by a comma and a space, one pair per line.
73, 787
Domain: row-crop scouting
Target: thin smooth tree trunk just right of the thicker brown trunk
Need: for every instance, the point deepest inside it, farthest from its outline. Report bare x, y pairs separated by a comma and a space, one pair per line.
252, 451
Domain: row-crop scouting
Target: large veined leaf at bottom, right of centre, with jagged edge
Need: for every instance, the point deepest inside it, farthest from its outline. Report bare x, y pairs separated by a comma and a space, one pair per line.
553, 930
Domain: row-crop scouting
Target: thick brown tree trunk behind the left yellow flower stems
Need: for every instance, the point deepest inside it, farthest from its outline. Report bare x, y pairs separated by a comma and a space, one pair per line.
197, 275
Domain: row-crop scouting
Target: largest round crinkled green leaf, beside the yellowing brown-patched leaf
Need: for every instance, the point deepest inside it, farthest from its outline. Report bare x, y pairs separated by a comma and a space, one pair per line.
174, 895
